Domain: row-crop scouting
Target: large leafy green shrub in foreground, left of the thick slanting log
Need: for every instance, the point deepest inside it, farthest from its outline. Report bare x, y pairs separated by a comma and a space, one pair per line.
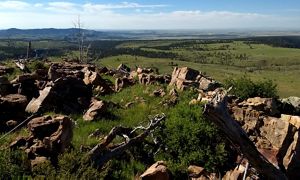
189, 139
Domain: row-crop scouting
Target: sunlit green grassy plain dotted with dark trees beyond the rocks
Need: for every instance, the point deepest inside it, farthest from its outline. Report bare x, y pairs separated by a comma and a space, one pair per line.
259, 61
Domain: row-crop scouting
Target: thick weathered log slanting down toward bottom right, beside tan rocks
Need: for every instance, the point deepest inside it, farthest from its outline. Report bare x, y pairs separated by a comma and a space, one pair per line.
216, 111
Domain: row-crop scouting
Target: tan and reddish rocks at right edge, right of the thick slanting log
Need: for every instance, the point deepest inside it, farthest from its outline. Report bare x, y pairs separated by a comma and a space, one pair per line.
274, 132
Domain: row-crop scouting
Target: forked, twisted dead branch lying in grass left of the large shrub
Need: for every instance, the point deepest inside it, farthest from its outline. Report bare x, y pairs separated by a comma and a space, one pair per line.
101, 154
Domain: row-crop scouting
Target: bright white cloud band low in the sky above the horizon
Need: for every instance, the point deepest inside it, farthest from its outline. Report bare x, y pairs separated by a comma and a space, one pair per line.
141, 16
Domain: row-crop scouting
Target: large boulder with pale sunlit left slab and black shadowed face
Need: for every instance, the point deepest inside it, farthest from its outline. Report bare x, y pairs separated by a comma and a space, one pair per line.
68, 95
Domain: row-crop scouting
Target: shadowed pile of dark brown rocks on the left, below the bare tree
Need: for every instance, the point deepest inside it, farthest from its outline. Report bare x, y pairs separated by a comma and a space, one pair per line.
64, 87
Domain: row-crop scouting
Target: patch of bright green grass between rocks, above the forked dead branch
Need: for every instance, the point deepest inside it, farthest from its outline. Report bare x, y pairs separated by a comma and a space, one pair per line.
133, 116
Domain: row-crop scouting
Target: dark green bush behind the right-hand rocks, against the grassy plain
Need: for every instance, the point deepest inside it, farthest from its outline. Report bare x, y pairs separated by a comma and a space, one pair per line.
244, 88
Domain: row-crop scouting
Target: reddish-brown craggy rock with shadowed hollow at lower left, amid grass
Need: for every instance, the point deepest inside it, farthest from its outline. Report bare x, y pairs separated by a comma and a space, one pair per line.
49, 137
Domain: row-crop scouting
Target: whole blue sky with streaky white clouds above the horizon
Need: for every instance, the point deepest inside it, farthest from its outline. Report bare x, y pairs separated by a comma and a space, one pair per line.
152, 14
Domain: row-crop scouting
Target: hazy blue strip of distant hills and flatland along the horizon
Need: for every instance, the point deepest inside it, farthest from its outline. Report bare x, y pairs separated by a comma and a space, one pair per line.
70, 33
